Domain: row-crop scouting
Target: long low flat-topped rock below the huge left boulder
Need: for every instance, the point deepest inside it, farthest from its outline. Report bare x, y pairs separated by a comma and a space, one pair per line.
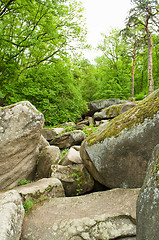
44, 188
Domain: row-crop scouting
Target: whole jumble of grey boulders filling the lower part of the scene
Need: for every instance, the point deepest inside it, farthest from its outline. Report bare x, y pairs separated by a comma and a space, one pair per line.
113, 158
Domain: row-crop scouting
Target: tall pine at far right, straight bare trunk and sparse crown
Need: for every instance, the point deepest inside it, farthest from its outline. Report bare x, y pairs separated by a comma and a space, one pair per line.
145, 13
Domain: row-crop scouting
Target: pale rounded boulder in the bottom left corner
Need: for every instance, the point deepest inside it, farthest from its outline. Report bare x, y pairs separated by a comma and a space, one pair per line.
11, 215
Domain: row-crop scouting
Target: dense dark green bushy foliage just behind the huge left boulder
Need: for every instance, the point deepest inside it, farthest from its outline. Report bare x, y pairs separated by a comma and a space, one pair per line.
51, 89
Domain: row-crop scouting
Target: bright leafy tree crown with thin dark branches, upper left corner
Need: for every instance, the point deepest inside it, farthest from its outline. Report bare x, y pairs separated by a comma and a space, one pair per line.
36, 31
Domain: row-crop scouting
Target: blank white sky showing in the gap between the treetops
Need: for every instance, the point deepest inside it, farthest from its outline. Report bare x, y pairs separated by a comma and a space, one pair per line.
102, 16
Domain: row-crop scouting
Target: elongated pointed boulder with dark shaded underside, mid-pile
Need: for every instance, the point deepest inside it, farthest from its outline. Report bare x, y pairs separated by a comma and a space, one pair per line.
68, 139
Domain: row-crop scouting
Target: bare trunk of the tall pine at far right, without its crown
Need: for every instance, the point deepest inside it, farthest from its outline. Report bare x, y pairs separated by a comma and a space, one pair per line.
149, 59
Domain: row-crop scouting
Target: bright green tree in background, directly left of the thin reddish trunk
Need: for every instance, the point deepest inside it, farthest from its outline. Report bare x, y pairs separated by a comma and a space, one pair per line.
114, 67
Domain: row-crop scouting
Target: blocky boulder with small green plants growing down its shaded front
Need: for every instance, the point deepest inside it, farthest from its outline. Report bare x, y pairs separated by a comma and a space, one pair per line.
75, 178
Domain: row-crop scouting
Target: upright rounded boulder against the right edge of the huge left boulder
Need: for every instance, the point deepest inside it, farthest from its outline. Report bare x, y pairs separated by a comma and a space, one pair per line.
48, 156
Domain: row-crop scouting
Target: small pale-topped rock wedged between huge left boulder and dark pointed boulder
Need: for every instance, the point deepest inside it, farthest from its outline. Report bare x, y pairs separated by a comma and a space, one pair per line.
50, 133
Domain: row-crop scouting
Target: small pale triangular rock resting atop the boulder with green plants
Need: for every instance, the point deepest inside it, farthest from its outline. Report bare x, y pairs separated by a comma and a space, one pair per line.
71, 157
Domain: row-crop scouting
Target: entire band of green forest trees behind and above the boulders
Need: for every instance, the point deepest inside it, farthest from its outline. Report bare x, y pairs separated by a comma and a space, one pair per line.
41, 60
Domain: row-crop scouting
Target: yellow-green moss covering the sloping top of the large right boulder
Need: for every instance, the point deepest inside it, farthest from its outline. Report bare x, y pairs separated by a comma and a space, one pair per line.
145, 109
